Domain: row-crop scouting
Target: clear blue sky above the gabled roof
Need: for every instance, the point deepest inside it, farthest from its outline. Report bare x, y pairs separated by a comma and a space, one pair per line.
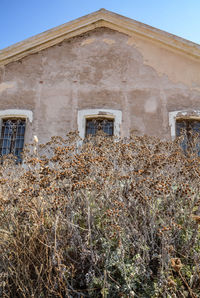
20, 19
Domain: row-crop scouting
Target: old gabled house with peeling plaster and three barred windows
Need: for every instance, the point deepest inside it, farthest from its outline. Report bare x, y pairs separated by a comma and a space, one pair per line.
101, 71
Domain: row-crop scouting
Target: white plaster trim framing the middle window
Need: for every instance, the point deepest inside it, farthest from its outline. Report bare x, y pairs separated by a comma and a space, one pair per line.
88, 113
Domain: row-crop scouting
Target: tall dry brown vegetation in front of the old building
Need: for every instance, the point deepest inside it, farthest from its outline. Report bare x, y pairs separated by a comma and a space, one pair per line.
106, 219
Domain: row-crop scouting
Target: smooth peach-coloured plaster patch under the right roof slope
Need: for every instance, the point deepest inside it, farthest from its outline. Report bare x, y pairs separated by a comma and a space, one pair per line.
178, 67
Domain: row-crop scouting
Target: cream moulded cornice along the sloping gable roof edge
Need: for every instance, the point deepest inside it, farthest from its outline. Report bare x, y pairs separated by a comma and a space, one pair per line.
100, 18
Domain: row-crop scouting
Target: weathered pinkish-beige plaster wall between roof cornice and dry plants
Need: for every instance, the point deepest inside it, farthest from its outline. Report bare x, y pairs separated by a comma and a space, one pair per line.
102, 69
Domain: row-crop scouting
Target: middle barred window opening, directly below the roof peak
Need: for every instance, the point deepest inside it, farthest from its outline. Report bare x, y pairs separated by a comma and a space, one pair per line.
99, 124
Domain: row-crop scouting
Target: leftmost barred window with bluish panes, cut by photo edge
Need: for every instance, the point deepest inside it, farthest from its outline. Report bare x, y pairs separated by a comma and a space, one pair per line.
12, 137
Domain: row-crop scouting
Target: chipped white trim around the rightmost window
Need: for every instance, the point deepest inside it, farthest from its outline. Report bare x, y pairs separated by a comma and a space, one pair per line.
195, 114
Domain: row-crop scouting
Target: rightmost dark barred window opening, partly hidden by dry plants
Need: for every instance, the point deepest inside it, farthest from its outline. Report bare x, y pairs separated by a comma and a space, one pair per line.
190, 130
